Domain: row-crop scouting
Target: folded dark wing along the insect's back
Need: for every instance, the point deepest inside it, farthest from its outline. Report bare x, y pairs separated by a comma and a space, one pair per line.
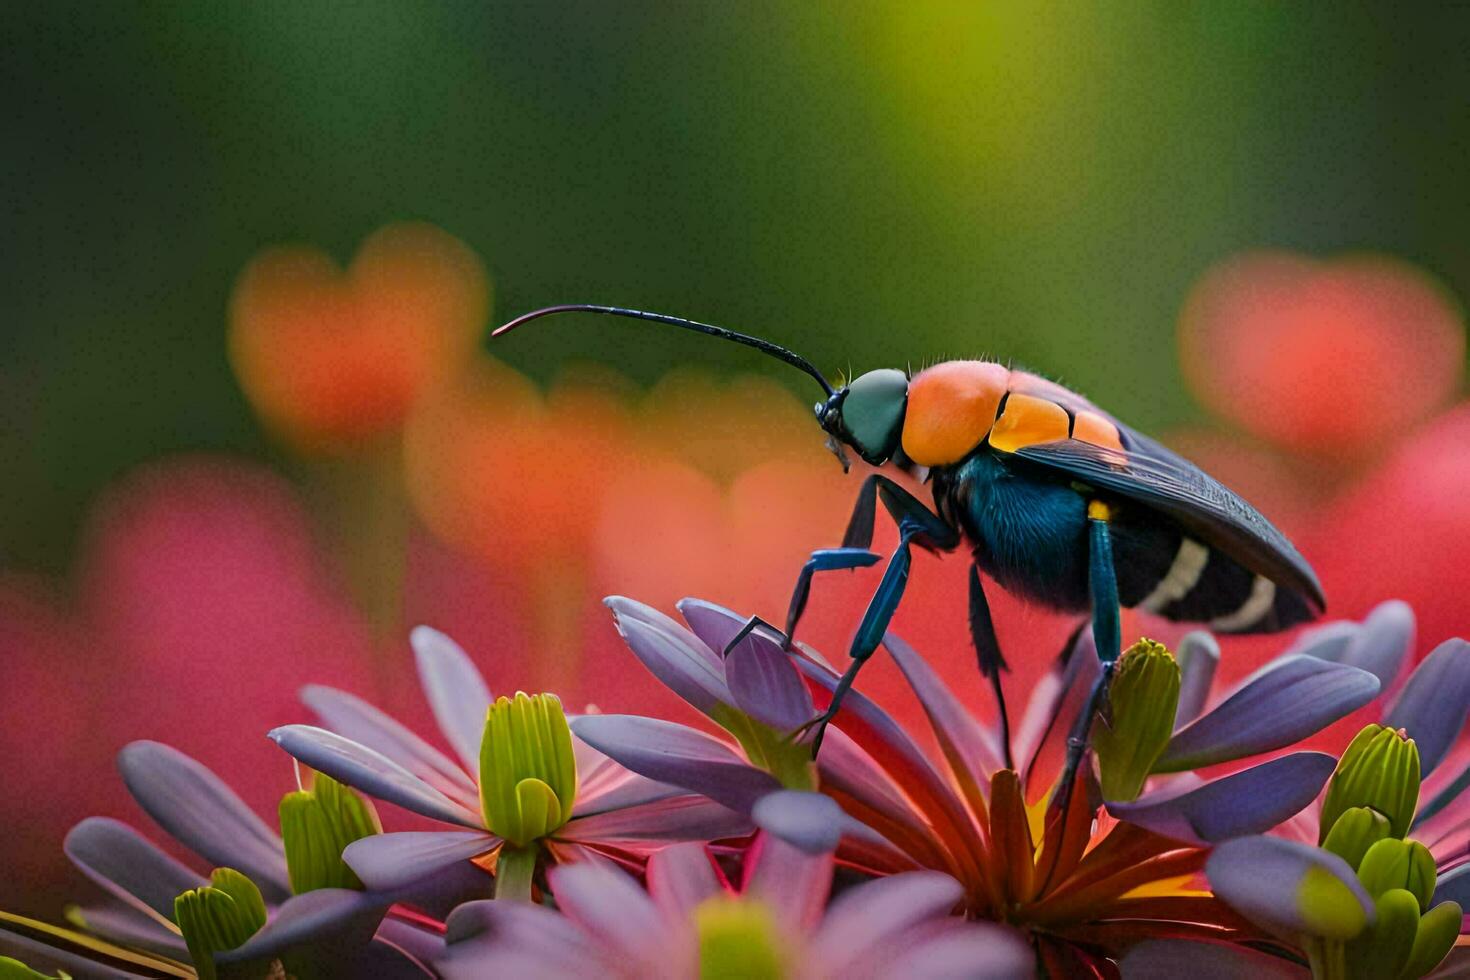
1162, 480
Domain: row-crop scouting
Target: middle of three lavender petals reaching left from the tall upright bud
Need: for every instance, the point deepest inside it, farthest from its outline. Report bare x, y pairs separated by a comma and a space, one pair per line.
364, 769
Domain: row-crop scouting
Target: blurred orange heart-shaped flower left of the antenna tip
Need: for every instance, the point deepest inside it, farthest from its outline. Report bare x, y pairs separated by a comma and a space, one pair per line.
331, 359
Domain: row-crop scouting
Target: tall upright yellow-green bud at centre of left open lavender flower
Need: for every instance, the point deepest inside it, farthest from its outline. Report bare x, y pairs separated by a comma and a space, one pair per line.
527, 768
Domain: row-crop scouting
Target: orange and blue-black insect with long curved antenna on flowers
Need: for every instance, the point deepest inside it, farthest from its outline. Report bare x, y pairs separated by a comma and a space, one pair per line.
1059, 502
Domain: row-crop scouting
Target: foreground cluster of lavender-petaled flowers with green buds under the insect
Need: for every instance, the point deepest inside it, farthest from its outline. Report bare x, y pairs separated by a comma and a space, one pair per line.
621, 846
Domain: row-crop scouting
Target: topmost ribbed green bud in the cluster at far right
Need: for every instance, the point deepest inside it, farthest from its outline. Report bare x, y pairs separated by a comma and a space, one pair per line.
1380, 771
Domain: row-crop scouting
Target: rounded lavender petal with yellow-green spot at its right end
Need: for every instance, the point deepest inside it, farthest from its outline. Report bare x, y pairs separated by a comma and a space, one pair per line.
1262, 878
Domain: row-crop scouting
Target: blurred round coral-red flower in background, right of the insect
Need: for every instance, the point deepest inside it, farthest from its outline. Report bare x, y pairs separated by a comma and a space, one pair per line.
1328, 359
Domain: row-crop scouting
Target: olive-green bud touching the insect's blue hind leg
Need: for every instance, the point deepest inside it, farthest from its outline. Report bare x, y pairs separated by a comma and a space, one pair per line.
1140, 719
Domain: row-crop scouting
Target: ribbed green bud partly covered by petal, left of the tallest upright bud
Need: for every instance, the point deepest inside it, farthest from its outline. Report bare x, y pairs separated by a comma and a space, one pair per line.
317, 826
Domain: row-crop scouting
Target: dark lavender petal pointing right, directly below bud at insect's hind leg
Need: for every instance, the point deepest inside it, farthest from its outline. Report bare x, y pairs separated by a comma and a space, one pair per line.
1250, 801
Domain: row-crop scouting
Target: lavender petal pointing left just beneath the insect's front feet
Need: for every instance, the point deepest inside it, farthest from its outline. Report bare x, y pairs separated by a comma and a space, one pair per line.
671, 753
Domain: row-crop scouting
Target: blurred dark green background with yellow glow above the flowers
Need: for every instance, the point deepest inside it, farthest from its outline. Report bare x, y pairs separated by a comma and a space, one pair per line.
872, 184
